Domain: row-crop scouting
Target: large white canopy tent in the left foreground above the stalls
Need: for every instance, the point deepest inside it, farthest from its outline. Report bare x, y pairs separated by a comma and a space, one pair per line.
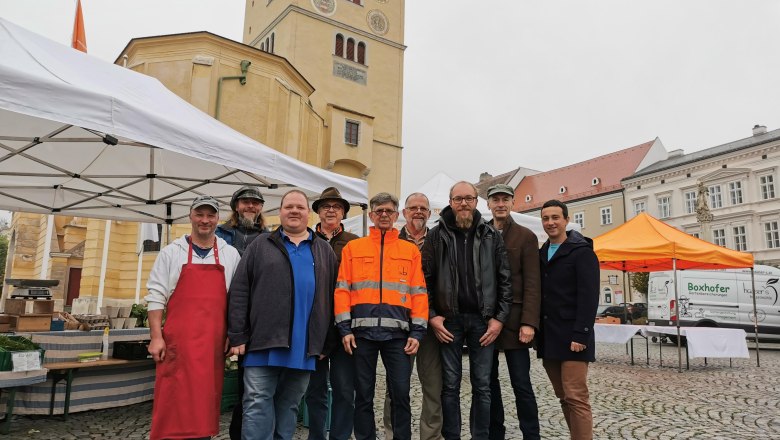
80, 136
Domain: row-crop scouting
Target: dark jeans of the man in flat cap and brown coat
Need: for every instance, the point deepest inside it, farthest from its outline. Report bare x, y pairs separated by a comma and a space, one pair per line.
519, 365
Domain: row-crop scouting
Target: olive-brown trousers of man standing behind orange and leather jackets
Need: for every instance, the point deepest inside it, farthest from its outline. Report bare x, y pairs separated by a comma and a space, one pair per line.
429, 371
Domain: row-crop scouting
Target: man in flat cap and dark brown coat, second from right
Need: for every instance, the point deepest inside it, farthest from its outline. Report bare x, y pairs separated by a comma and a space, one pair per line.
522, 246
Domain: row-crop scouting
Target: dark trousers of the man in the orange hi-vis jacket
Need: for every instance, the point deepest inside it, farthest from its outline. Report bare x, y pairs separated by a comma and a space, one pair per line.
398, 368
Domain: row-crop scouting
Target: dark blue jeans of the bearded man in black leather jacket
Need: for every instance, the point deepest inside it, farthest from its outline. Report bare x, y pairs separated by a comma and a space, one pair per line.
469, 328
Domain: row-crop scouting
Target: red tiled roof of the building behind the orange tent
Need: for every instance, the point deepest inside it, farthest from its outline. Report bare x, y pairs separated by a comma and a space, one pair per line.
578, 178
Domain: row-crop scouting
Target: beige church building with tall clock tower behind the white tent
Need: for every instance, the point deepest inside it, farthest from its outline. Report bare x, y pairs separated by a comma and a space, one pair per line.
319, 80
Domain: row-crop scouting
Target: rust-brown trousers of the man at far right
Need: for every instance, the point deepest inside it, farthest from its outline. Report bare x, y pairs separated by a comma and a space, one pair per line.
570, 383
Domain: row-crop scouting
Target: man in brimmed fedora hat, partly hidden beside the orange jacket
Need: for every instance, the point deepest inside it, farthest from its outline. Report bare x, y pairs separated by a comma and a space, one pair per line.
337, 365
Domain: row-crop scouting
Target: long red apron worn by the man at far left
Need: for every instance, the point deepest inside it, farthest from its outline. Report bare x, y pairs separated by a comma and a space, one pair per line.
188, 387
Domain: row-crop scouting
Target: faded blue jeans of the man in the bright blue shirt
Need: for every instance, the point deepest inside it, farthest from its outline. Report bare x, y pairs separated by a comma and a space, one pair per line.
271, 398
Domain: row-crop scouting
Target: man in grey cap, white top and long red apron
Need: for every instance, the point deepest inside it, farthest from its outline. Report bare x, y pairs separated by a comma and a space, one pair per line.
189, 283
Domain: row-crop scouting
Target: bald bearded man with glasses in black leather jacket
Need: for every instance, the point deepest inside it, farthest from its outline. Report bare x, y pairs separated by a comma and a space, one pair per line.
470, 291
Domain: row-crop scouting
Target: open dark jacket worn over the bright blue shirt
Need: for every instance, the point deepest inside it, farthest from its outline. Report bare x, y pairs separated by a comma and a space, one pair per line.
260, 299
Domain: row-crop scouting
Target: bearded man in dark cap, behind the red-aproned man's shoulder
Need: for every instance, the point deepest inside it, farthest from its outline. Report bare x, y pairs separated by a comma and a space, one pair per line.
246, 221
